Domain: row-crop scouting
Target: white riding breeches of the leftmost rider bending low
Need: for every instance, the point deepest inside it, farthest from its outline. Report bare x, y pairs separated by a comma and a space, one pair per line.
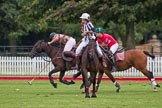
70, 44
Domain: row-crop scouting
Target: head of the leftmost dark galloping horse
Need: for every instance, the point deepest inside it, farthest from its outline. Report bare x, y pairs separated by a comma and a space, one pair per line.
37, 48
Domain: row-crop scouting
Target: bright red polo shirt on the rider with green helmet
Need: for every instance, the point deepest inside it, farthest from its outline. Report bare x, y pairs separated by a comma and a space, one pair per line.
107, 39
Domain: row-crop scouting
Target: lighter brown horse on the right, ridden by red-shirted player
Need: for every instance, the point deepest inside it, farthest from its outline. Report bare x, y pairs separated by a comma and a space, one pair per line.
133, 58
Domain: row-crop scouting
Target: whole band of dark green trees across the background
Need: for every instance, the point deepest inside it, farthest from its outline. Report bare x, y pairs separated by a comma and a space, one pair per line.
23, 22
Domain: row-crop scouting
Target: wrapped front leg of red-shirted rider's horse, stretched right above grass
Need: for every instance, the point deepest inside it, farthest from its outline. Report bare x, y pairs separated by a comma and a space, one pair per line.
108, 73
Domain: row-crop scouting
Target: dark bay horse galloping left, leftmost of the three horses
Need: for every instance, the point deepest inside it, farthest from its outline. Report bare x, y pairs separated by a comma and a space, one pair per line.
55, 53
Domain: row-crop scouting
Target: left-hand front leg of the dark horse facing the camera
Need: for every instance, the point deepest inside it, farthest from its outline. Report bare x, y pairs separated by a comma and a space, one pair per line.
85, 80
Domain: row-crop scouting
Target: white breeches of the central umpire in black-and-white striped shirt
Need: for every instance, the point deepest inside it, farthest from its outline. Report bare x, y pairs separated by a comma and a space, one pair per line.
84, 43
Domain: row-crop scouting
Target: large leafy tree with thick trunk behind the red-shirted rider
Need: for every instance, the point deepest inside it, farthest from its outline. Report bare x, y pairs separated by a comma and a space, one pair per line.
127, 12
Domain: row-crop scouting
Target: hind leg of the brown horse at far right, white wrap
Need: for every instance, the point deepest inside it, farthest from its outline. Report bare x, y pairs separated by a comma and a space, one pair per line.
150, 76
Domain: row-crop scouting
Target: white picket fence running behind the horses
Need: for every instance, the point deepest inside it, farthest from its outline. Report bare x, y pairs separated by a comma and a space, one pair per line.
28, 66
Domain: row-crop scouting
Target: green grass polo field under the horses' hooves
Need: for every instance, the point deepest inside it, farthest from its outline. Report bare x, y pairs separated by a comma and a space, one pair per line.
18, 94
